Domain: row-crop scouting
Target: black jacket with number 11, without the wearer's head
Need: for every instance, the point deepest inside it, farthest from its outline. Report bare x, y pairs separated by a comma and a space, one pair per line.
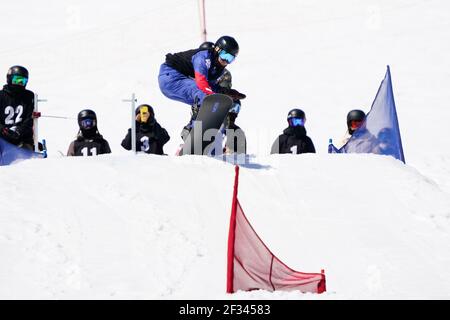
88, 146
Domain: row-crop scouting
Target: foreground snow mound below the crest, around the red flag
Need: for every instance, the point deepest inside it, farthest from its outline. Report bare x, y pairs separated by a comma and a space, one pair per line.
129, 227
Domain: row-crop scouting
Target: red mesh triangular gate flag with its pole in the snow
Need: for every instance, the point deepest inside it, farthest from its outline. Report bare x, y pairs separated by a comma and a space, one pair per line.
251, 265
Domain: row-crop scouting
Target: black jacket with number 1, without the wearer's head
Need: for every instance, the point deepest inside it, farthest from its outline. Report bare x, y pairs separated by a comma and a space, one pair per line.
293, 140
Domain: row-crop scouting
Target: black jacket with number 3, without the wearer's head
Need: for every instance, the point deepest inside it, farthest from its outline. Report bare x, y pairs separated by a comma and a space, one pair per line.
150, 138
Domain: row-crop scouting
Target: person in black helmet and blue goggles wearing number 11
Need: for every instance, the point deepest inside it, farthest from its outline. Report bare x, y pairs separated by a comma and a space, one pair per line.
89, 141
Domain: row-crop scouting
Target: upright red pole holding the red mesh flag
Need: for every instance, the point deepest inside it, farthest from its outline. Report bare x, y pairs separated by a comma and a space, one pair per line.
231, 234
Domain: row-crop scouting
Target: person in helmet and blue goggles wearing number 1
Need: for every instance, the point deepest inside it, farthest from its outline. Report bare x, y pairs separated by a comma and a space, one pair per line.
294, 139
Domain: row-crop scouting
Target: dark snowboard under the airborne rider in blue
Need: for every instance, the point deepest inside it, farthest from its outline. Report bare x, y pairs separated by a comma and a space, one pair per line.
212, 113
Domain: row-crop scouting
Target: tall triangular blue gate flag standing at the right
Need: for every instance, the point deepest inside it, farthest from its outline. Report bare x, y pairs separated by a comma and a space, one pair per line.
379, 133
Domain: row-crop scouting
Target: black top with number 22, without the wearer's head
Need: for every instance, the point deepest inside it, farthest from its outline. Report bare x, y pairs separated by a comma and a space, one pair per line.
16, 110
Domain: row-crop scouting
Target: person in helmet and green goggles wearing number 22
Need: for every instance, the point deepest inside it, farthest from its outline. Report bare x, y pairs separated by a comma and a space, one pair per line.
16, 109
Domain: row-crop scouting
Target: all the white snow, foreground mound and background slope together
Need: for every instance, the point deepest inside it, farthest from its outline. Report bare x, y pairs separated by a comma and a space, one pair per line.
121, 226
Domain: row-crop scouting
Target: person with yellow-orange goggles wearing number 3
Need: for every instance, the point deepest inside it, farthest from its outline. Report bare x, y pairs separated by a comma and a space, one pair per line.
150, 136
